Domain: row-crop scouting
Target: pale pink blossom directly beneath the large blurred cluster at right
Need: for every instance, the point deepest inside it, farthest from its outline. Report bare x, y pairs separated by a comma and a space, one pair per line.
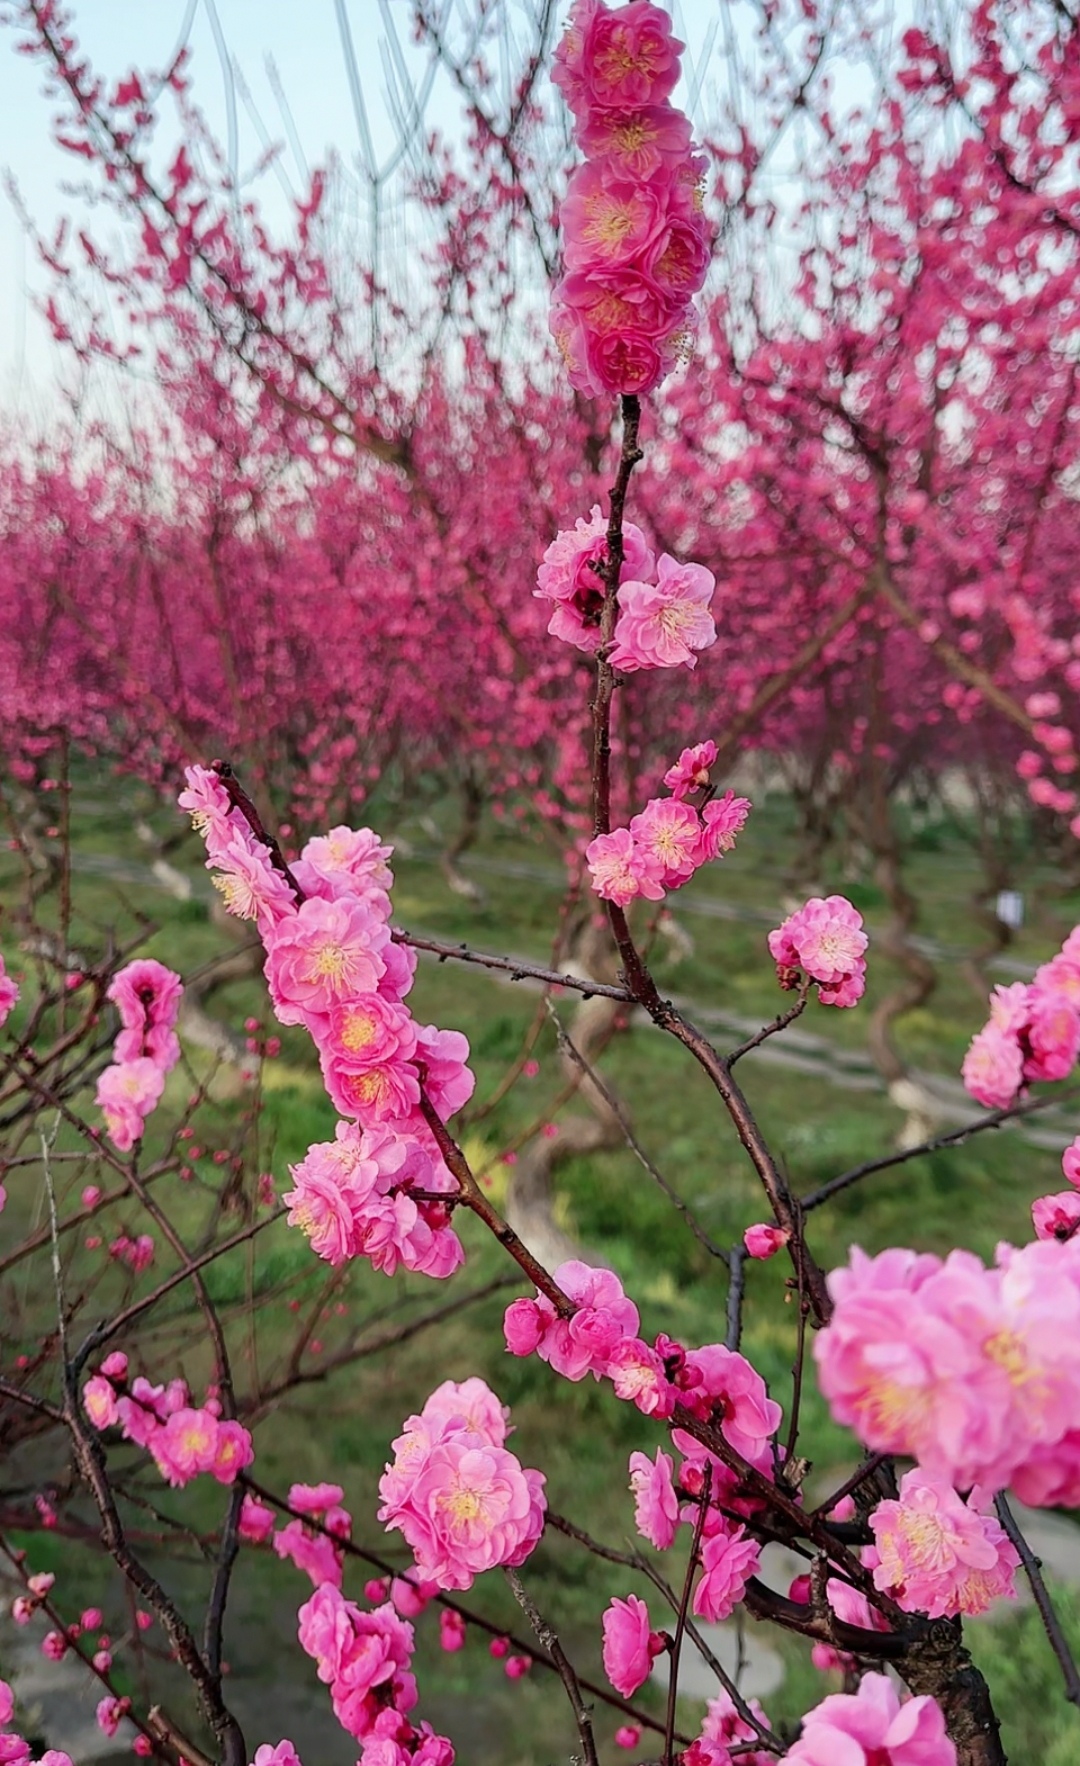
938, 1553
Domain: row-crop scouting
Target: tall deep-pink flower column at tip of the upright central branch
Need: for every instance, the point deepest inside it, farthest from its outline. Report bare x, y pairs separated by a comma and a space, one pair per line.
636, 241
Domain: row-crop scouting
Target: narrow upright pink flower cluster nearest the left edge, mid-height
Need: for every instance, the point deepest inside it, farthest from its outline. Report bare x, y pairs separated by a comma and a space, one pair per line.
147, 997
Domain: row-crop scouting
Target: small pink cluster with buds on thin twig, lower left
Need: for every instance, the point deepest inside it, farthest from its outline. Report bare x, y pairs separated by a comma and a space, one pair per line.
183, 1438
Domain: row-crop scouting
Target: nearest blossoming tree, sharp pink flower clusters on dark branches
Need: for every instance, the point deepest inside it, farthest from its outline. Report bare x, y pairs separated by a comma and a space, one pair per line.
970, 1371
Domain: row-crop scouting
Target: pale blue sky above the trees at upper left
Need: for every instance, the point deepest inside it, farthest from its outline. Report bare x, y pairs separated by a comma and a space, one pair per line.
278, 47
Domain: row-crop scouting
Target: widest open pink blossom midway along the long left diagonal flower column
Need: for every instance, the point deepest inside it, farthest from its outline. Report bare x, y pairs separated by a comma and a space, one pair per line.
324, 955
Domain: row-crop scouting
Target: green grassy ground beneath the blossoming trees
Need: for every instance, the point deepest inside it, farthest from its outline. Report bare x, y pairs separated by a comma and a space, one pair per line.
341, 1426
